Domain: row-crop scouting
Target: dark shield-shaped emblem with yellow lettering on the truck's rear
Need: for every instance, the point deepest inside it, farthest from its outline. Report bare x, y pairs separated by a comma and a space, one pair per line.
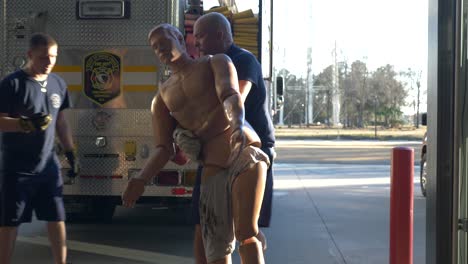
102, 77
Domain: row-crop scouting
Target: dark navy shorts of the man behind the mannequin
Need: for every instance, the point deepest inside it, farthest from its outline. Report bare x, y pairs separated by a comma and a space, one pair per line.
265, 212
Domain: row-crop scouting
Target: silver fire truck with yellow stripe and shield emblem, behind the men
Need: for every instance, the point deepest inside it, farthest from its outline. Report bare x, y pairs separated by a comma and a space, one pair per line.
112, 76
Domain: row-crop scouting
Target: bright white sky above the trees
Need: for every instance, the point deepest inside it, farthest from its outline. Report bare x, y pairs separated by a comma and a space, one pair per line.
378, 32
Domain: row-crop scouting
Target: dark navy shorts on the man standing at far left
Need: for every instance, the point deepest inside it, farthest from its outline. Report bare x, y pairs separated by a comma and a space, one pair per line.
23, 193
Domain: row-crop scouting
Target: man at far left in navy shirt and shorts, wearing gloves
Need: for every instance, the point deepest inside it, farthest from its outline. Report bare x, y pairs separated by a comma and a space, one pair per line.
31, 104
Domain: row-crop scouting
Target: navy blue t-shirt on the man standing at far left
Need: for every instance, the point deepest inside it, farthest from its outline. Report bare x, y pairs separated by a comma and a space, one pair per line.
21, 95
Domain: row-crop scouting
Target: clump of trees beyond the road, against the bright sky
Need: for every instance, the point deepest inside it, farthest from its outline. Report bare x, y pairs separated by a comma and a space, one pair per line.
366, 97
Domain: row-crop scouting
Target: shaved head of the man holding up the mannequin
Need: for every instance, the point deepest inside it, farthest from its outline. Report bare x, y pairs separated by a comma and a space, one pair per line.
213, 33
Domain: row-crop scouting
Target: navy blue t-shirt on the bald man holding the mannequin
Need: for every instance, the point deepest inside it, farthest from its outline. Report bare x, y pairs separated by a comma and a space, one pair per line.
256, 105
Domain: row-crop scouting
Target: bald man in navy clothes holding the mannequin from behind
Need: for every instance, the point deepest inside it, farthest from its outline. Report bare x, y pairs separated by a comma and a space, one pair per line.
213, 36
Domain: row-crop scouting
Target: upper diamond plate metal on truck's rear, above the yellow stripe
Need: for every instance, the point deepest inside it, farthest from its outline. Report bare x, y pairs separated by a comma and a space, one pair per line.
69, 32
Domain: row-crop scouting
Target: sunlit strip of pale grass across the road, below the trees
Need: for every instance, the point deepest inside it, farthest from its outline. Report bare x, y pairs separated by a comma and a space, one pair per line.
320, 132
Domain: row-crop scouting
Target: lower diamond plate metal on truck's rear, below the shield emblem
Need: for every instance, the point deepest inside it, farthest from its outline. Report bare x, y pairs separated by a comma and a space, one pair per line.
122, 126
